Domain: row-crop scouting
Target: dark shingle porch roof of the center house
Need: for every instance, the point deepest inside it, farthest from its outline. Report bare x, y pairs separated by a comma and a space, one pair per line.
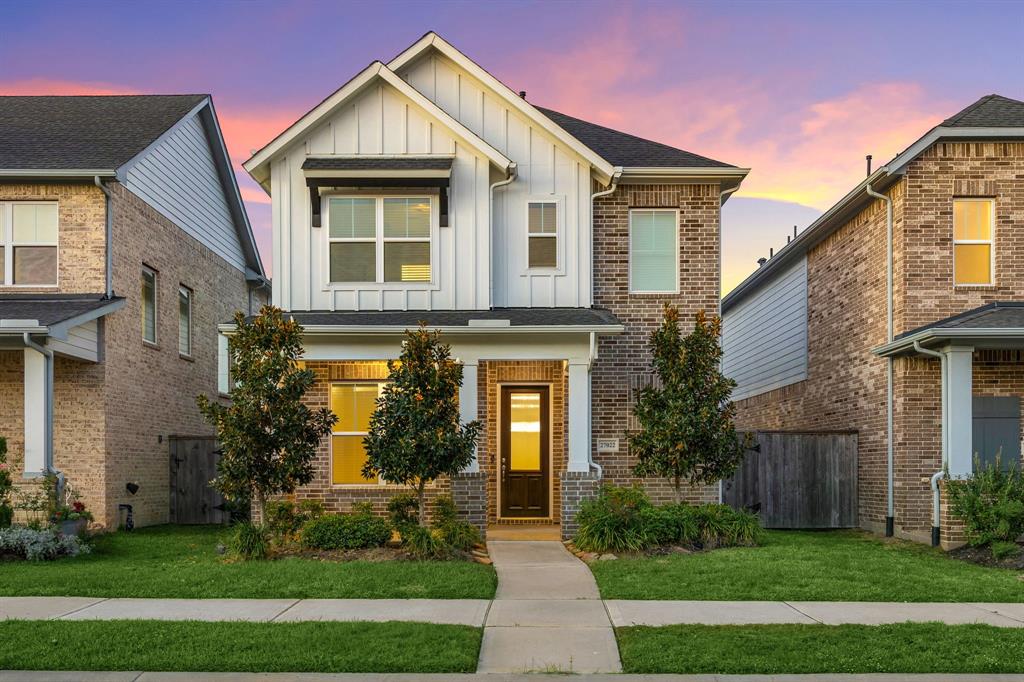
412, 319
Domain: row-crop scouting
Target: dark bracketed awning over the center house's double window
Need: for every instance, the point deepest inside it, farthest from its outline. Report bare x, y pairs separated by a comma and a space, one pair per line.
433, 172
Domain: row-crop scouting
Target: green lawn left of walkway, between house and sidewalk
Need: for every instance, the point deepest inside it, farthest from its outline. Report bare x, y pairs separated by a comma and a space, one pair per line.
182, 562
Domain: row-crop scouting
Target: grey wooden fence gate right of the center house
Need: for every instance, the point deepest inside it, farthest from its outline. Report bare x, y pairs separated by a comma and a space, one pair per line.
799, 481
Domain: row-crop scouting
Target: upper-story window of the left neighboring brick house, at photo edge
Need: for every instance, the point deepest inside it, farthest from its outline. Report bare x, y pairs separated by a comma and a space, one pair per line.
29, 244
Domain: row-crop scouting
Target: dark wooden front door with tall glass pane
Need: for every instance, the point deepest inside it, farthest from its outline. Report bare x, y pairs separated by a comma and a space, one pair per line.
526, 457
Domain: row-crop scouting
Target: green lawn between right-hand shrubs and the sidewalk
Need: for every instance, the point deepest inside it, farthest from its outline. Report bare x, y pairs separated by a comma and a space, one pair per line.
809, 567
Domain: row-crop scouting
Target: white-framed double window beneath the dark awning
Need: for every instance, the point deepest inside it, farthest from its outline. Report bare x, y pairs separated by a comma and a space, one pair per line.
379, 239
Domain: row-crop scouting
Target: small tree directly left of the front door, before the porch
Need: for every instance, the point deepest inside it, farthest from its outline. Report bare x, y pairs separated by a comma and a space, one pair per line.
416, 435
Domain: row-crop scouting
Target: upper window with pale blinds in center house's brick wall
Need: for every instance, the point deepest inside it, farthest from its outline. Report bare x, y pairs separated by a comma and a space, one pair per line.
655, 251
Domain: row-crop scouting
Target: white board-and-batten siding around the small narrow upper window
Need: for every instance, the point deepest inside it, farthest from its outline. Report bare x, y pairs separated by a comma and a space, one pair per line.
547, 170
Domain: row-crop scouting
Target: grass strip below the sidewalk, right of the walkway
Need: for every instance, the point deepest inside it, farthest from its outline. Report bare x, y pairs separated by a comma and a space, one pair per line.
909, 648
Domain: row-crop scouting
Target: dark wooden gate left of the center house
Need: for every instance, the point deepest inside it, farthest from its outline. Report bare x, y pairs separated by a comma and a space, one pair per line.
194, 464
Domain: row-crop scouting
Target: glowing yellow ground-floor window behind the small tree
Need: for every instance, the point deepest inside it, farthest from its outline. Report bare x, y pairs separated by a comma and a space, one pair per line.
353, 404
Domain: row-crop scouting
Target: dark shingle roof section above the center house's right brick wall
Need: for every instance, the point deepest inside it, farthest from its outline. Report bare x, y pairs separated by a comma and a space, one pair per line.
621, 149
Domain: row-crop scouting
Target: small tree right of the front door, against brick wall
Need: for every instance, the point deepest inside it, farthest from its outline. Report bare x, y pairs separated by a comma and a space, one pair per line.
687, 418
